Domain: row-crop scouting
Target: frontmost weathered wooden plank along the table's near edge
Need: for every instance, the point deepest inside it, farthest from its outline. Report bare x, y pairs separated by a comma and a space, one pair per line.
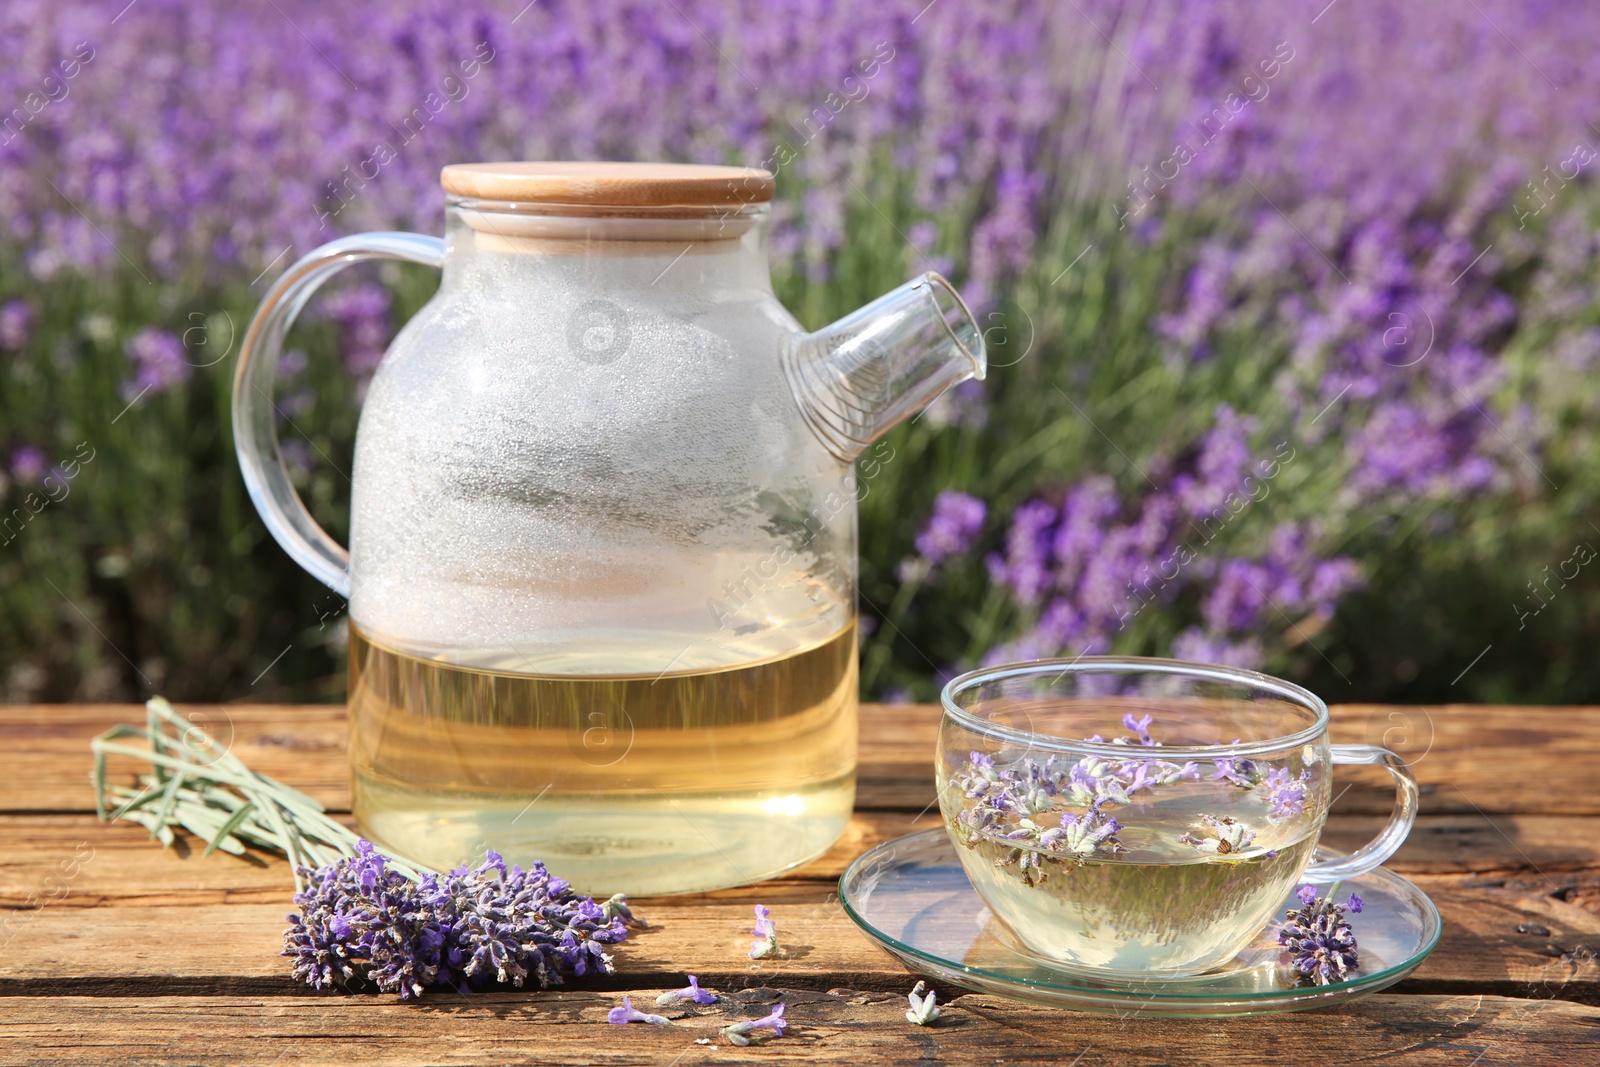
842, 1026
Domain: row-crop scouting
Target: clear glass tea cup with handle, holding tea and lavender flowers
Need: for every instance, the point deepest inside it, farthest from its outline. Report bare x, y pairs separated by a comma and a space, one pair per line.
1143, 817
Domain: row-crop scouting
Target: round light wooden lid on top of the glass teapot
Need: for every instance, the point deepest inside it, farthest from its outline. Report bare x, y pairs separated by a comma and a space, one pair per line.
610, 185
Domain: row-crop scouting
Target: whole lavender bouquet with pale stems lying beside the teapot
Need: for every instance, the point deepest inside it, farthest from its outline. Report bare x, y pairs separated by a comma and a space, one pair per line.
364, 916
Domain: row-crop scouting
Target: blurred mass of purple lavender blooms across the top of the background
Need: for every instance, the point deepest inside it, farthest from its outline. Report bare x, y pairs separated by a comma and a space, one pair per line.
230, 182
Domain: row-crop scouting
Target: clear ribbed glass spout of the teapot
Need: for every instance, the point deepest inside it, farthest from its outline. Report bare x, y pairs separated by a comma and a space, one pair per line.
882, 364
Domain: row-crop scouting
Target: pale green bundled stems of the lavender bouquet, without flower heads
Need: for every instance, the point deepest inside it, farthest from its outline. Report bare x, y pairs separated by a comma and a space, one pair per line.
202, 788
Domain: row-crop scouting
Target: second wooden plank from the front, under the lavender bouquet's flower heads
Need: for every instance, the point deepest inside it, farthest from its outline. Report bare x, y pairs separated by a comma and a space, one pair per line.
191, 948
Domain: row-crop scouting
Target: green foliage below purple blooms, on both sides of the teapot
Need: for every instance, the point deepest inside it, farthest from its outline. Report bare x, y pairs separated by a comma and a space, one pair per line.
156, 573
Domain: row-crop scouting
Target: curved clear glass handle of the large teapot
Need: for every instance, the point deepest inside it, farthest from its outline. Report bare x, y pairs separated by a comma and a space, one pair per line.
257, 430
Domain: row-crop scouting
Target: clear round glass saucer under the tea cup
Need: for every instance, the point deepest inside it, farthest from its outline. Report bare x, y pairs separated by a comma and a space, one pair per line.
913, 898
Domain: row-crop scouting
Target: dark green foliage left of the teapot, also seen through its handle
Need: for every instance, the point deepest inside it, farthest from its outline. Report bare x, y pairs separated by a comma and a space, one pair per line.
153, 572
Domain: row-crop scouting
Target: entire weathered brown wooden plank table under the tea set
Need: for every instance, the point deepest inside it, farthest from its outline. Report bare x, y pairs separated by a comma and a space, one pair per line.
150, 956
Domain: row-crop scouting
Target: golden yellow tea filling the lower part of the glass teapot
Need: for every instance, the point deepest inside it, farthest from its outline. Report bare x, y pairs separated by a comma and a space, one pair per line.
622, 783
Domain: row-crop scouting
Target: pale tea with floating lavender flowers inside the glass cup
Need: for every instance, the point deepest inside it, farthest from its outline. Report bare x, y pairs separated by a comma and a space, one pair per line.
1127, 863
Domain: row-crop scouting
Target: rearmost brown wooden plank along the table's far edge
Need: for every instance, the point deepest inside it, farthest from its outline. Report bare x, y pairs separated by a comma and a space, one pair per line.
1468, 757
